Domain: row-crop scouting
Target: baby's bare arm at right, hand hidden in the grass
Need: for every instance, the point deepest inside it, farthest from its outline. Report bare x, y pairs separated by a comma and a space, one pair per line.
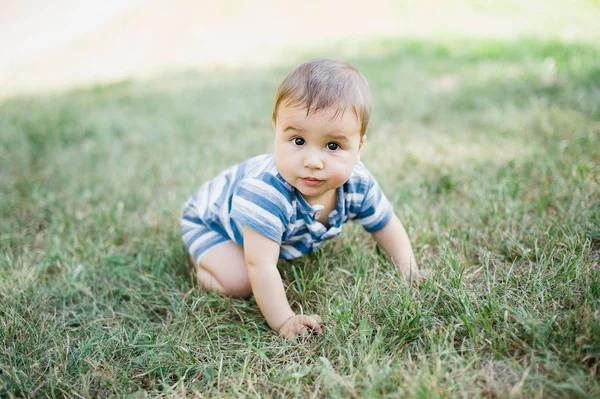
396, 244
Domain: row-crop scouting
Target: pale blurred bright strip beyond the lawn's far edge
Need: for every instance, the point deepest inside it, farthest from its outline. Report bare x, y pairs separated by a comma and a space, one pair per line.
56, 44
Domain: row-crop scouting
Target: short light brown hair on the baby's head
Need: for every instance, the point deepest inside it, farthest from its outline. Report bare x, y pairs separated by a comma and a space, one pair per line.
323, 83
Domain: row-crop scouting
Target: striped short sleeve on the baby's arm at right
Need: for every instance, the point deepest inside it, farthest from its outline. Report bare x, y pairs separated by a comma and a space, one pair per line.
376, 210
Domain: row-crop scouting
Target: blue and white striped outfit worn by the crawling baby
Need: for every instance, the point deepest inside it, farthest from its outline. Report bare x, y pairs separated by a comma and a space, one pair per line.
255, 195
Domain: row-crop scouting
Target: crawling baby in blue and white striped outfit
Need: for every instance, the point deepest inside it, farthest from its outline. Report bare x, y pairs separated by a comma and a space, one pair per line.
287, 204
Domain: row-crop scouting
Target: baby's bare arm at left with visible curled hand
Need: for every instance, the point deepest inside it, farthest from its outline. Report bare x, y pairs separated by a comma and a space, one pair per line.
261, 255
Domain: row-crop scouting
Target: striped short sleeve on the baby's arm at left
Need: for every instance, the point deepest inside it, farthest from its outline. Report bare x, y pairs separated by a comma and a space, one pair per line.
260, 205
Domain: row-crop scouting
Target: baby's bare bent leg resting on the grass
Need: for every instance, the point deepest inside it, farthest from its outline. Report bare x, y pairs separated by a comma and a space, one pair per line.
223, 269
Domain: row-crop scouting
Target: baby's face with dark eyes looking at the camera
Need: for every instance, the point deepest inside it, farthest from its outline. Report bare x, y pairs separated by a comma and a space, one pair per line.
316, 154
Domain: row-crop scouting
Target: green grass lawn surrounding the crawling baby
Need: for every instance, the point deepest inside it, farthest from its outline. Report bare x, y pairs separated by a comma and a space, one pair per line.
490, 151
